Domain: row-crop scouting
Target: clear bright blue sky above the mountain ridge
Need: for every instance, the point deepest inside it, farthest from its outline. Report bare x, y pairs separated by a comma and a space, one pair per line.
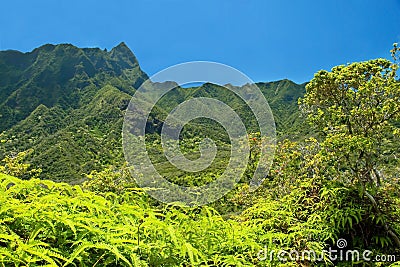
267, 40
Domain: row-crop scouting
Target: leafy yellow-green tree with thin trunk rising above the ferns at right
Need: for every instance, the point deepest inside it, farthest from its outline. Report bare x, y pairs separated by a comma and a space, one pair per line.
356, 108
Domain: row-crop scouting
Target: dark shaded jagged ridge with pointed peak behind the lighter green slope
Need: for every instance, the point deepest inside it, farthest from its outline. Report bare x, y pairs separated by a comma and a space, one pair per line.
61, 75
